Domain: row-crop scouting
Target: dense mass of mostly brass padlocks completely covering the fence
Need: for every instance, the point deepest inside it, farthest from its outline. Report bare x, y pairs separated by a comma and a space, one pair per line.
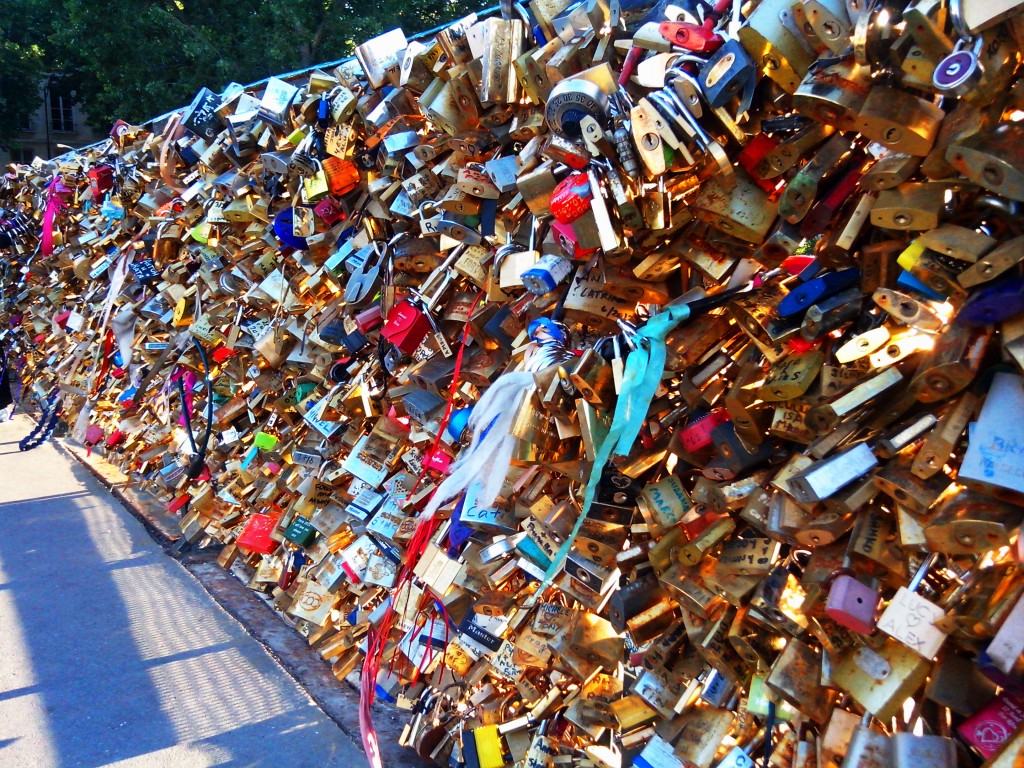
827, 190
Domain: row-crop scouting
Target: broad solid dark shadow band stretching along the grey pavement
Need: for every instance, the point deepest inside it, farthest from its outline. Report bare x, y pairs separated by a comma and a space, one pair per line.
87, 664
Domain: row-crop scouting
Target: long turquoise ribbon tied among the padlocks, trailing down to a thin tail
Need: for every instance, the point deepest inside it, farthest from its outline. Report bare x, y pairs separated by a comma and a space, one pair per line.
645, 369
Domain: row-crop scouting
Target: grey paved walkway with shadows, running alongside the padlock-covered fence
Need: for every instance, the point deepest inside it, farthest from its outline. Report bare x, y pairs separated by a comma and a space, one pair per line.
113, 655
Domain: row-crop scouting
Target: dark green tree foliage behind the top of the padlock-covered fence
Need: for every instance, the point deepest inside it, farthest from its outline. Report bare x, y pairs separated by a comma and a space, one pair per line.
139, 59
